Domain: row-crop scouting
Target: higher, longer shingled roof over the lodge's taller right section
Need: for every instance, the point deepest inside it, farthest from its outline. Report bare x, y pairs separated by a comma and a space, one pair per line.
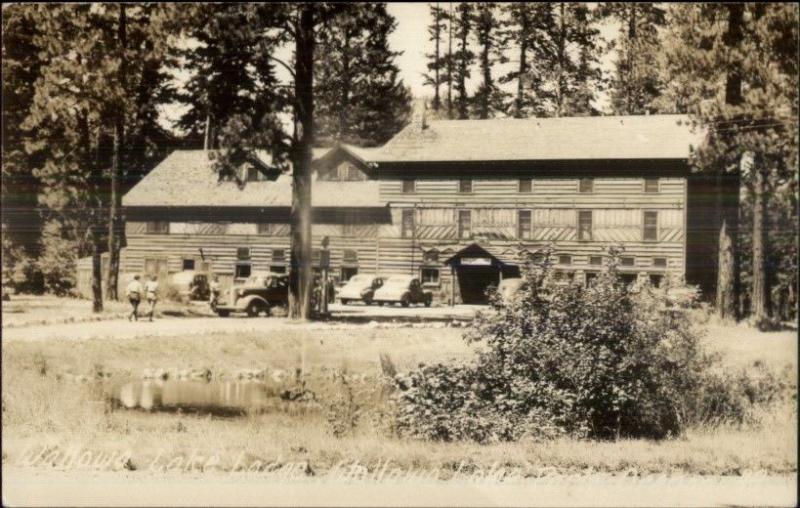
542, 139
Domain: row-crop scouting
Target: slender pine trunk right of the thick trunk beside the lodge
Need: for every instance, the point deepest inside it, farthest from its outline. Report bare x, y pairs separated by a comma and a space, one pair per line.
759, 291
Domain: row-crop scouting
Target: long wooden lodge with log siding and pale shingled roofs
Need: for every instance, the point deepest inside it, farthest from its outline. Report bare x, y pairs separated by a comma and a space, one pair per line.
452, 202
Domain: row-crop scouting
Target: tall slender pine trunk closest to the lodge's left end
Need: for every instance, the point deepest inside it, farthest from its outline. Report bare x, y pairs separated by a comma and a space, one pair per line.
115, 204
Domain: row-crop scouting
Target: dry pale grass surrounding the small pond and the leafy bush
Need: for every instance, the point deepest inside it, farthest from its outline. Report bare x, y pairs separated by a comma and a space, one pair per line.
43, 408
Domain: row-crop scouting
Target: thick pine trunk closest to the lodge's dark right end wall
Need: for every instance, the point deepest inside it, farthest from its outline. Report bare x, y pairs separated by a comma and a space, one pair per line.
728, 273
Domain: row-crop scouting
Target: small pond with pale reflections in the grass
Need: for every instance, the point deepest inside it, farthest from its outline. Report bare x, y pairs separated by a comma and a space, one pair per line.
218, 397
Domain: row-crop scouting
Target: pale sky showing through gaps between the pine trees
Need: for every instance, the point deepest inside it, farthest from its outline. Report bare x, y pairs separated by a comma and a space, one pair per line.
411, 39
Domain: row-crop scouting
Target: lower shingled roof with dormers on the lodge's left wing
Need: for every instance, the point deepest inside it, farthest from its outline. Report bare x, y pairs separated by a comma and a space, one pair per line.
187, 178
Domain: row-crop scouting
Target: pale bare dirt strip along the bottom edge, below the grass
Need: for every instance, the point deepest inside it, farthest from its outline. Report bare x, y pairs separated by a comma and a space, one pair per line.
54, 488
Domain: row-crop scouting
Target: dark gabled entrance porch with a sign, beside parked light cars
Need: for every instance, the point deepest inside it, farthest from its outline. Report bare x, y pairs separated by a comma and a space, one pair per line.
475, 270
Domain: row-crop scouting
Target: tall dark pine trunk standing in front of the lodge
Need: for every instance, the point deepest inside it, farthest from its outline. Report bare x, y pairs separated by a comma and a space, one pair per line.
300, 275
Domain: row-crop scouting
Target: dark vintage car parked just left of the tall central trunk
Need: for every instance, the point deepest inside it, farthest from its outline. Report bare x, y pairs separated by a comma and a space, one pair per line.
260, 292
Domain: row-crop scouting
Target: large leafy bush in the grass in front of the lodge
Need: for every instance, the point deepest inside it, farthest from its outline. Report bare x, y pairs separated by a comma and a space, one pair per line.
599, 361
